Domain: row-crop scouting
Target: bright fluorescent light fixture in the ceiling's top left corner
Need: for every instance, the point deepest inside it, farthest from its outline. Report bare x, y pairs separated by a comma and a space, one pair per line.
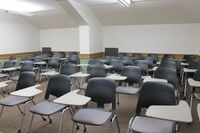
21, 7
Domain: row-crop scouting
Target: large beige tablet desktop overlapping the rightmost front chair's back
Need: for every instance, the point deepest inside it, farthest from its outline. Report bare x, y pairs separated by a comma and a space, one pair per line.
178, 113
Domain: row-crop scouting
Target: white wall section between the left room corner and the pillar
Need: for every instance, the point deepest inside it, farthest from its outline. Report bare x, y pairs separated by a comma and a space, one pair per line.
66, 39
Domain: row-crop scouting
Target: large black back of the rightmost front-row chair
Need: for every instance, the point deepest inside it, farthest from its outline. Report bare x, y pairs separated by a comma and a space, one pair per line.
155, 93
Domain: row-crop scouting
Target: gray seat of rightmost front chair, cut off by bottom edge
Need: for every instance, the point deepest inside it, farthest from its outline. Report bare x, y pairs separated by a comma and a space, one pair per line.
150, 125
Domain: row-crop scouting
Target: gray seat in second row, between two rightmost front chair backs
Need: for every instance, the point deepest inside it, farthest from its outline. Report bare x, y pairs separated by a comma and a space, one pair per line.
127, 90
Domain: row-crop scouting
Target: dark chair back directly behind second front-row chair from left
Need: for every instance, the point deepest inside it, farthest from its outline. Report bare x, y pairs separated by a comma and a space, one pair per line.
68, 69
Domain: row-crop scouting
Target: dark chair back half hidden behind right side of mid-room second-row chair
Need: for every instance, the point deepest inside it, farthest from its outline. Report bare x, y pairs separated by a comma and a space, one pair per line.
143, 64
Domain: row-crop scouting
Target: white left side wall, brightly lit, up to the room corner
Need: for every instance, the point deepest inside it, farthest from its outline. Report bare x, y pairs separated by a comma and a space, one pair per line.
17, 35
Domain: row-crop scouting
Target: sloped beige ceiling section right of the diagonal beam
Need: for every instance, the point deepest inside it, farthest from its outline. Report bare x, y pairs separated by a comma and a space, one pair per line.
150, 12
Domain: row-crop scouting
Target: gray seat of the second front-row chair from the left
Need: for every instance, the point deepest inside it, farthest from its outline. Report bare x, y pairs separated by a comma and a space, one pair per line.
46, 108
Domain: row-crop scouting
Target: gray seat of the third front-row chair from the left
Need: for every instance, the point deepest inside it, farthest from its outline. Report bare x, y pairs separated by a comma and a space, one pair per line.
92, 116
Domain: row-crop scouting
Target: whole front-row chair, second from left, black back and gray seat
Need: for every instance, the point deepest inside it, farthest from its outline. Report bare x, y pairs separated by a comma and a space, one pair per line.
58, 85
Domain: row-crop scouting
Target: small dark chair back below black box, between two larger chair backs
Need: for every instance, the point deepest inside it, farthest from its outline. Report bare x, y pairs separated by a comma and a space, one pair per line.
117, 65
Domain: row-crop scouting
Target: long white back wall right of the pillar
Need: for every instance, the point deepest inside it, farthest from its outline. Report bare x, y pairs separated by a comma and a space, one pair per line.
167, 38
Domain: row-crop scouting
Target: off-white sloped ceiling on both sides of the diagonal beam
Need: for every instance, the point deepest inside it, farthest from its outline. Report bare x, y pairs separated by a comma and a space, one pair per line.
111, 13
